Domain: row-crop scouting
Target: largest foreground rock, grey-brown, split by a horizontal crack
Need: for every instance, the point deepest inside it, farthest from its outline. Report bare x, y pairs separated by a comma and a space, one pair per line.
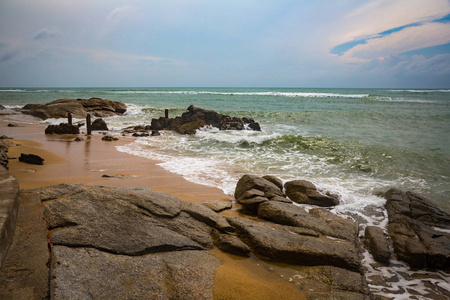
119, 242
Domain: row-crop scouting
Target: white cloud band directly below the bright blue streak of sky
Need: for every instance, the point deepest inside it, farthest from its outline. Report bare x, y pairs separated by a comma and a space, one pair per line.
408, 39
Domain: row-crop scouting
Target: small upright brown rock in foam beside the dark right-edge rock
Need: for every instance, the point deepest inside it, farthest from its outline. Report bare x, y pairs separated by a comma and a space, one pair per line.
377, 244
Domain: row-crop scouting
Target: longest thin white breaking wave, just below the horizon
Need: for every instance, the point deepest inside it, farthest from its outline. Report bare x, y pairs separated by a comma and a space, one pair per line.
275, 94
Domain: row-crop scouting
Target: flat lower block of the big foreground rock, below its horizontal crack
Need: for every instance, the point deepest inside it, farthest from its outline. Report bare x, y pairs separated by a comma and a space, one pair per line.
88, 273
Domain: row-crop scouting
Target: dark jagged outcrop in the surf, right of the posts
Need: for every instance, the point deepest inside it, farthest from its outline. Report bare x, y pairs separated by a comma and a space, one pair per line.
196, 118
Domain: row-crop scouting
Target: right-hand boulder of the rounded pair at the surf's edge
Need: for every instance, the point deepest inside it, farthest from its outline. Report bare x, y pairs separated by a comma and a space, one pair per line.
305, 192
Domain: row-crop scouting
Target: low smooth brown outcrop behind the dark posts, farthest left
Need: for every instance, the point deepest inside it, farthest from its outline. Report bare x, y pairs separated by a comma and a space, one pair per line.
78, 108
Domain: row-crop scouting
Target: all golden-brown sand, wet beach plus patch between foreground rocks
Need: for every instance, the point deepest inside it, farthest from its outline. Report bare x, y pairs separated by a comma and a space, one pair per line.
85, 162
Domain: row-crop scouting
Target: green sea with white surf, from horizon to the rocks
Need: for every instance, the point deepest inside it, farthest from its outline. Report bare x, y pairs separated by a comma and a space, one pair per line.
356, 143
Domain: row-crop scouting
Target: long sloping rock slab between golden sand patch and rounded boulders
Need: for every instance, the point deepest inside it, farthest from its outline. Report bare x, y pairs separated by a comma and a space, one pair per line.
281, 243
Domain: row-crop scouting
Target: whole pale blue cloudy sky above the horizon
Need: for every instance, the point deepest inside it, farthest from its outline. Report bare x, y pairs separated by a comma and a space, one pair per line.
232, 43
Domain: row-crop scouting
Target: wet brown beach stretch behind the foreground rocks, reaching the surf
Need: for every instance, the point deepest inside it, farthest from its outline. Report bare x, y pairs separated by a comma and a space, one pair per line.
85, 162
